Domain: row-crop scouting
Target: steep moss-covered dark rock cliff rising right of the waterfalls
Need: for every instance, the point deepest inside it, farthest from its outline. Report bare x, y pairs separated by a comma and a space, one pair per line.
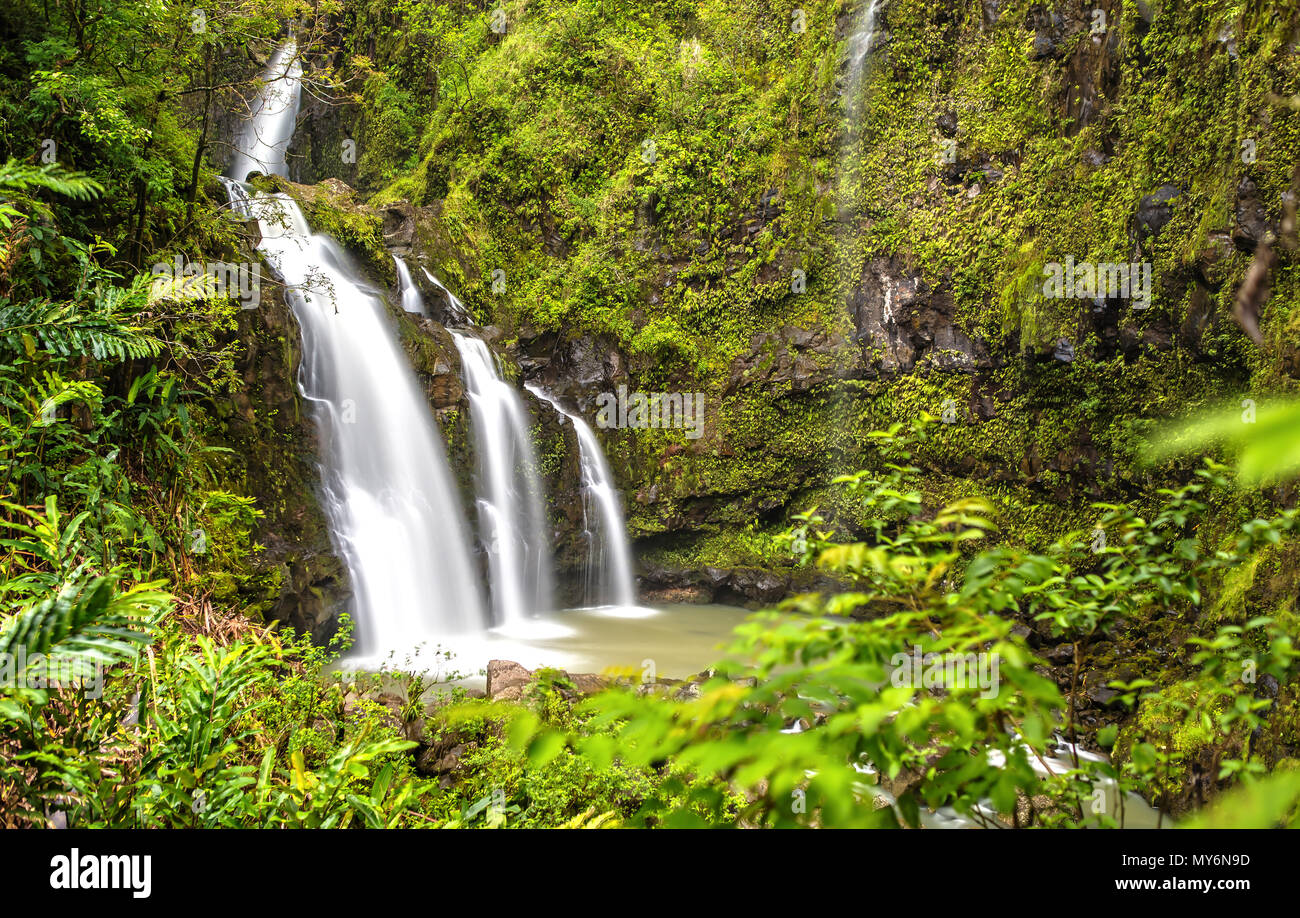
735, 200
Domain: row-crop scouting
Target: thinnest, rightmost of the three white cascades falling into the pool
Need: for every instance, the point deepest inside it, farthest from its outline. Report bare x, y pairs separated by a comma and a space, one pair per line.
609, 565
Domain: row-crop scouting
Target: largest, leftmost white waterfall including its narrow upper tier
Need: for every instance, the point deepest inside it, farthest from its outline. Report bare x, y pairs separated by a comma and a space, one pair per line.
388, 491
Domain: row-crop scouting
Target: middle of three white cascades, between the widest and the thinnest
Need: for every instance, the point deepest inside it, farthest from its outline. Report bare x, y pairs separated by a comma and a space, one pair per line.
512, 518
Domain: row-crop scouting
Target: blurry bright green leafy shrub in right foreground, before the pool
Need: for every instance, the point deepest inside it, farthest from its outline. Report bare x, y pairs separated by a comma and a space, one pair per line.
818, 718
